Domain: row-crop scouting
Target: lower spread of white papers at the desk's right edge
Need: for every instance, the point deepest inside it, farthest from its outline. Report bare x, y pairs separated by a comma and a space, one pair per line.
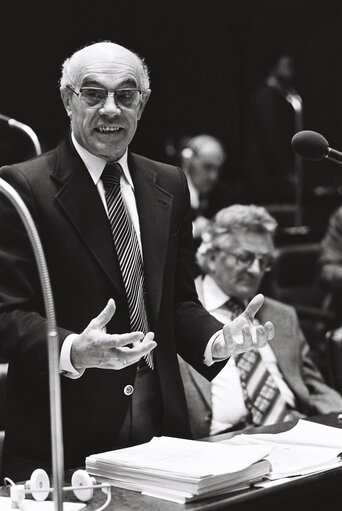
307, 448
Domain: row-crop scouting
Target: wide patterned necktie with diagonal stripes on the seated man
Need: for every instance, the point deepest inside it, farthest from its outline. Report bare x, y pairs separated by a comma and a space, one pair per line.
262, 396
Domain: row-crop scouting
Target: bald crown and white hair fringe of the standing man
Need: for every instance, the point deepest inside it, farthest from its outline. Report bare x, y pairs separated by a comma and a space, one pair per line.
101, 56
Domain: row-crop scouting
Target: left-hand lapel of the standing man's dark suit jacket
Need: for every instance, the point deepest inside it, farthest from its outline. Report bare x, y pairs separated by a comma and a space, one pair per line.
87, 213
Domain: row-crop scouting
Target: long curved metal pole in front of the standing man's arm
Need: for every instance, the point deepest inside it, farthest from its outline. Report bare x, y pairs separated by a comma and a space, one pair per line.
53, 344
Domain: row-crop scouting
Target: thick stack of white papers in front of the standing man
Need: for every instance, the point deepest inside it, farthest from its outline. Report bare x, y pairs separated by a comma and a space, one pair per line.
181, 470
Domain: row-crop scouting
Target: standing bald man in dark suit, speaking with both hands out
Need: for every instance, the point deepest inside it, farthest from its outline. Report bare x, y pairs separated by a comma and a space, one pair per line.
111, 397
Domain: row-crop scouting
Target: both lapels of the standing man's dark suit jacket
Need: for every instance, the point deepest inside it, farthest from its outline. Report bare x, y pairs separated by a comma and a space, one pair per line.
154, 207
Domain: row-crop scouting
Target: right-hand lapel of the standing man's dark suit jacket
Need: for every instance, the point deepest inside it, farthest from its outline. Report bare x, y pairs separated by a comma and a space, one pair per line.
154, 208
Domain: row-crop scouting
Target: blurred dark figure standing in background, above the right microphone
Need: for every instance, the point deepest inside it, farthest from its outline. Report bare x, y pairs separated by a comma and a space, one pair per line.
270, 161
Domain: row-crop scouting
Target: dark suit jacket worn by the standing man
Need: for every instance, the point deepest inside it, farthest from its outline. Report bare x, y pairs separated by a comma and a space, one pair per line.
84, 273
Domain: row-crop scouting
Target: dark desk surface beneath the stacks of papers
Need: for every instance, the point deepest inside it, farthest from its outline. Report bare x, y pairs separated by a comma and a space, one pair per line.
314, 492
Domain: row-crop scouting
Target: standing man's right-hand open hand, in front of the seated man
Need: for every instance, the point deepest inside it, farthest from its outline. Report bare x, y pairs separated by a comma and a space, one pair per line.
241, 335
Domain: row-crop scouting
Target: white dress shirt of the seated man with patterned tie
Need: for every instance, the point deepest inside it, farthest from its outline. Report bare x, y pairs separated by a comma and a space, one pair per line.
228, 405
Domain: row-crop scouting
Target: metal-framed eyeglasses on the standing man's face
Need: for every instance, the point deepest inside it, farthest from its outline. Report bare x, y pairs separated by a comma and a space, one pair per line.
93, 97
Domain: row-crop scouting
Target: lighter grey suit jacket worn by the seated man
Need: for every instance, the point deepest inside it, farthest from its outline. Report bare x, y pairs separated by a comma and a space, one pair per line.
292, 352
